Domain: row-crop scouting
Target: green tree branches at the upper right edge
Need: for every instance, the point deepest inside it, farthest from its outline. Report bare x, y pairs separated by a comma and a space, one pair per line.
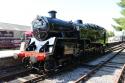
121, 20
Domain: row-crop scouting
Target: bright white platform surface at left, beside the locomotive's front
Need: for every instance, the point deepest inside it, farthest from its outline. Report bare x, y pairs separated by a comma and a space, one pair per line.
8, 53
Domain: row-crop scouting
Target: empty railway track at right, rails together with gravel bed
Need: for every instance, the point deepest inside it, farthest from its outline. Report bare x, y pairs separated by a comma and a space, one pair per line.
115, 62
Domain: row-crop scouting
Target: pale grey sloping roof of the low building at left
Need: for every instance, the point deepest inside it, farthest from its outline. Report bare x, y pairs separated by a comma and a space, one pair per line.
15, 27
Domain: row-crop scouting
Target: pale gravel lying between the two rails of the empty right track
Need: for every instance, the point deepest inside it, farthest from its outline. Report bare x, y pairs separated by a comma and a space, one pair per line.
109, 74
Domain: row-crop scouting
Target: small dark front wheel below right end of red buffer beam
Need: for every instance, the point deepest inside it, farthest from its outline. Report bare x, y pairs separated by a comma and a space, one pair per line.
49, 65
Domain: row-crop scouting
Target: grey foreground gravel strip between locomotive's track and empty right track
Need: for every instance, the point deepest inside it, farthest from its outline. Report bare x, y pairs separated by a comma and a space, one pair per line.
67, 77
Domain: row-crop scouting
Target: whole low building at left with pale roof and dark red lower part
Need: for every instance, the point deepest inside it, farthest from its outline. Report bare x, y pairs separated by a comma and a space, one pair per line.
11, 35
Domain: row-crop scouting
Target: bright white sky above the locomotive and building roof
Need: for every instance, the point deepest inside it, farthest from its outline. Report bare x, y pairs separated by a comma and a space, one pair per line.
98, 12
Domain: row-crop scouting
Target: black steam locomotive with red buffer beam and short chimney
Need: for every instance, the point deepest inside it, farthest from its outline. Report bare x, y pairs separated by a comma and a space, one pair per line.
56, 43
